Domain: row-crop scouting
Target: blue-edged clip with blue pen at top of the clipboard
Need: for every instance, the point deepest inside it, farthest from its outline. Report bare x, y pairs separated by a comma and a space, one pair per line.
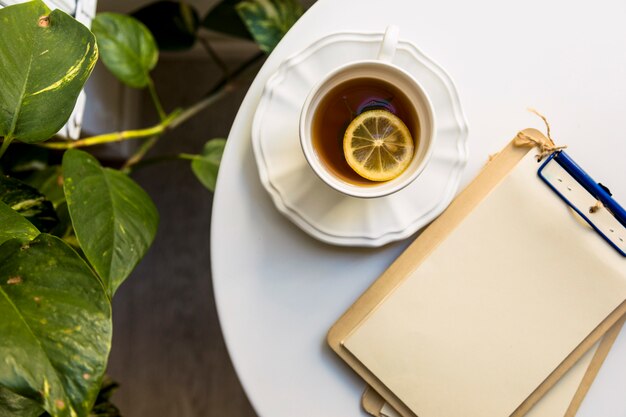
582, 194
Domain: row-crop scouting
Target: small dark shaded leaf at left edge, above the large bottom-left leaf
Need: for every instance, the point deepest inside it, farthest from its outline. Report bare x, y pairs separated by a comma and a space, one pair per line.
28, 202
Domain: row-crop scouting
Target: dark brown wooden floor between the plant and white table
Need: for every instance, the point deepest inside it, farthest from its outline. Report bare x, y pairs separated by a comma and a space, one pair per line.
168, 352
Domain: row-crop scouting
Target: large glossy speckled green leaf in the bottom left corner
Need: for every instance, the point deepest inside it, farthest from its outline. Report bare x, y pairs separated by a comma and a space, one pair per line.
56, 326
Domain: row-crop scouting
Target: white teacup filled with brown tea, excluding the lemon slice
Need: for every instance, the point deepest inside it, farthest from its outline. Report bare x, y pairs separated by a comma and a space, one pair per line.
322, 145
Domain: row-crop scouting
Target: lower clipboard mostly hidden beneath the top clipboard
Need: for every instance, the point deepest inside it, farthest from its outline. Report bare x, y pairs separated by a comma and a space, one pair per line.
565, 402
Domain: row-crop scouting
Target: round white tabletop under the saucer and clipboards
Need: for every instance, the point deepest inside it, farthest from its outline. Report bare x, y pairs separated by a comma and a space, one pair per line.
278, 290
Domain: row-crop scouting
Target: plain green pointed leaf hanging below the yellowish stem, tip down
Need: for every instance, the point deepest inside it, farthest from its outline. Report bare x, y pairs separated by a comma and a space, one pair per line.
114, 219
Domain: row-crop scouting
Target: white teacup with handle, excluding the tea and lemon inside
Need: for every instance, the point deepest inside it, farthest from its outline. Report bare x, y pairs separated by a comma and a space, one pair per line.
381, 69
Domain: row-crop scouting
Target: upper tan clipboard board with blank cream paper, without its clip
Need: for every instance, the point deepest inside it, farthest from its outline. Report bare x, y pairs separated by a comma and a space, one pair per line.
491, 305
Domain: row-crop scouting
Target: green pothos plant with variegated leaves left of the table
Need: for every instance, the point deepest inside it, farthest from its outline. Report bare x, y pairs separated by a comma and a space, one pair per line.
72, 230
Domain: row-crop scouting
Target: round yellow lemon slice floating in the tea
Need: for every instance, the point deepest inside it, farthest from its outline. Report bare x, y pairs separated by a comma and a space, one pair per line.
377, 145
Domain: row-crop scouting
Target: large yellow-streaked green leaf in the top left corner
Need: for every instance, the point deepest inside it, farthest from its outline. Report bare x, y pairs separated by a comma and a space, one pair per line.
44, 63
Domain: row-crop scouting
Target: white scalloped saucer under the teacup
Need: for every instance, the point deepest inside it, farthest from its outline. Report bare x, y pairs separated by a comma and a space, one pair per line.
319, 210
